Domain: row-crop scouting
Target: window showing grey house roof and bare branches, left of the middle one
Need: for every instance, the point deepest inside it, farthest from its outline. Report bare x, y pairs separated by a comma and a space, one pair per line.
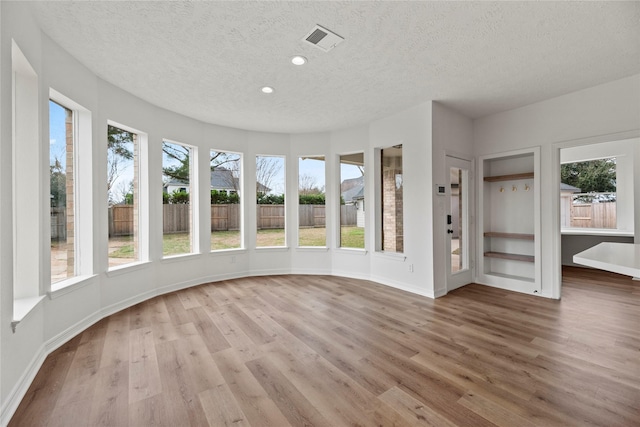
226, 209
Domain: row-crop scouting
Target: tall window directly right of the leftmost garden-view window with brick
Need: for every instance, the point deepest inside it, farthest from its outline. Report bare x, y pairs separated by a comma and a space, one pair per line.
123, 191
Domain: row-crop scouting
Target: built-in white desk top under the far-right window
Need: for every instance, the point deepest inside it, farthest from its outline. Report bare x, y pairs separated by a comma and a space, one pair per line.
622, 258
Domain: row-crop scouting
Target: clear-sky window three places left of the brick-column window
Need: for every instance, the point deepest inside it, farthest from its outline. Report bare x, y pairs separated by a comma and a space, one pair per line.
270, 189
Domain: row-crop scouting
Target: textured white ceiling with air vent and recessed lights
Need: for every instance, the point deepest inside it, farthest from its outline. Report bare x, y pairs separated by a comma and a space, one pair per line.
208, 60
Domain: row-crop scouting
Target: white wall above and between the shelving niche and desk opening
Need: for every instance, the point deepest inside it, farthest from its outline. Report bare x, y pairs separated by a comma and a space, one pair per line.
598, 114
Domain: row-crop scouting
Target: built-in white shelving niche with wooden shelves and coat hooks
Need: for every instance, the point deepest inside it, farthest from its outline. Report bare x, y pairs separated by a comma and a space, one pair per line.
509, 201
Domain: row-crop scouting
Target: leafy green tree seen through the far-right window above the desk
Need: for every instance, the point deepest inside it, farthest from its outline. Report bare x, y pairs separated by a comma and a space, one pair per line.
597, 176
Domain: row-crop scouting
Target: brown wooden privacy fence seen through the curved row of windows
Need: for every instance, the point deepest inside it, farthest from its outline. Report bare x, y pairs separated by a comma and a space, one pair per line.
175, 218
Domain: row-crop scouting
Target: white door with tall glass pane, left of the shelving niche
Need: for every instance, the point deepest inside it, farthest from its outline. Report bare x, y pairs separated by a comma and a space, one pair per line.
458, 211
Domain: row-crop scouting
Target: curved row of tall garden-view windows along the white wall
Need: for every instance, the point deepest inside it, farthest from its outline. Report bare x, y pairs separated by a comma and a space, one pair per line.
127, 204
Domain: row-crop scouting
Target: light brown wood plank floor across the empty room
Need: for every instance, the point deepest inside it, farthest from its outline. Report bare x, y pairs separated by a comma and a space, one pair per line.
330, 351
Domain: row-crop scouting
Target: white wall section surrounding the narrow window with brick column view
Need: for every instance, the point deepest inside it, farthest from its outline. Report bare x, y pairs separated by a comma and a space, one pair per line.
412, 129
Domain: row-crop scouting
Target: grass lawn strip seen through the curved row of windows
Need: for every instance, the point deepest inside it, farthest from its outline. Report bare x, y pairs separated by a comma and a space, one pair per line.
179, 243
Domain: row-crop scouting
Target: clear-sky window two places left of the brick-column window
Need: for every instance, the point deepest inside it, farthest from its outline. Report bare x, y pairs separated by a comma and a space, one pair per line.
312, 230
